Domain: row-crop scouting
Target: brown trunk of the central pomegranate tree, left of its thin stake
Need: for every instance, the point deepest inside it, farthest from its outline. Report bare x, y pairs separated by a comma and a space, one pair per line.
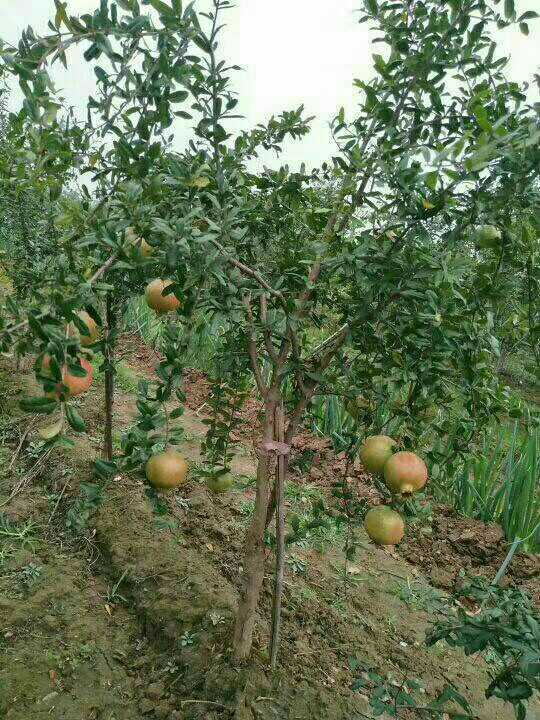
254, 554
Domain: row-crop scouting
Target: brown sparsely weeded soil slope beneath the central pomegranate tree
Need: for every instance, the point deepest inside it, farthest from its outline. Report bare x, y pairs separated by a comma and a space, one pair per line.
113, 609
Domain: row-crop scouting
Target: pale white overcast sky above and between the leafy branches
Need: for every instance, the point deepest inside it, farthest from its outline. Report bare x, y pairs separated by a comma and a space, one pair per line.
293, 52
